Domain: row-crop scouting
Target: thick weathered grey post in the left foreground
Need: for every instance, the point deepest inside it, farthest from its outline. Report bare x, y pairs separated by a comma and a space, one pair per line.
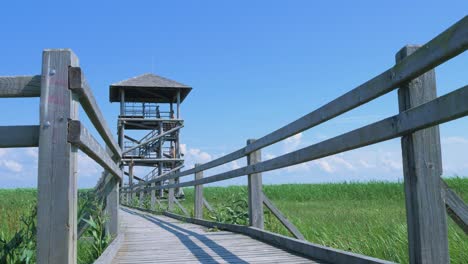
57, 190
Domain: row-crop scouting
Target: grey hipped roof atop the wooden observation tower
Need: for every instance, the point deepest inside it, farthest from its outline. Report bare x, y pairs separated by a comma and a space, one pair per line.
149, 88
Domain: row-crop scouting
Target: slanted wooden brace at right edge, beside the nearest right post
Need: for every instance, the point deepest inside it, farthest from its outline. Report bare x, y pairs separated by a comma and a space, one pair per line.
456, 207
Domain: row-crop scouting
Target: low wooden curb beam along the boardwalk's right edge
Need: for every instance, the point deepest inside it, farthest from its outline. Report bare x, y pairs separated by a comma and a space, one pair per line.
304, 248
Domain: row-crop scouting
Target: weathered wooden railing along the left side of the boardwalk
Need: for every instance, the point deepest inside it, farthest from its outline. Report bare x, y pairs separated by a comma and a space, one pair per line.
61, 88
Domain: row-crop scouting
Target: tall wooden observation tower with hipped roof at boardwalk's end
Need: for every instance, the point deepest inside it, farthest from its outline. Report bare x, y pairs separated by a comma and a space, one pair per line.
149, 125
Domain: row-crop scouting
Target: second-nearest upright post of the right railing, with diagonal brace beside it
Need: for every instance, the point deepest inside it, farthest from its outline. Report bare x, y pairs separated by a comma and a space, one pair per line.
255, 190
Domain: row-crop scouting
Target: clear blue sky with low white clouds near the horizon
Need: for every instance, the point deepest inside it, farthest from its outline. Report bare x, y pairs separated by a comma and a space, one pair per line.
254, 67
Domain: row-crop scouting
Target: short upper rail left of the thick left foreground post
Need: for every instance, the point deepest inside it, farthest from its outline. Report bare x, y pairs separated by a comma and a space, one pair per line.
20, 86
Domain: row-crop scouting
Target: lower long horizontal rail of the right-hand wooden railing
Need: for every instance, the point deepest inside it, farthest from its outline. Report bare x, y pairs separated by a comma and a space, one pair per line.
443, 109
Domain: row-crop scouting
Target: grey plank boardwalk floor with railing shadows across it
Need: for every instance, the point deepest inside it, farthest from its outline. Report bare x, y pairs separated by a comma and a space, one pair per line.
160, 239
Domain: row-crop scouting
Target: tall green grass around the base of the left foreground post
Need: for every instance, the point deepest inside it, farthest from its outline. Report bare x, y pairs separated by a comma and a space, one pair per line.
17, 226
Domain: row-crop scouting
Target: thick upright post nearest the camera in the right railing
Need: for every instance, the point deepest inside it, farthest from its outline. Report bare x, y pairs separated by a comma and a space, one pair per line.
422, 167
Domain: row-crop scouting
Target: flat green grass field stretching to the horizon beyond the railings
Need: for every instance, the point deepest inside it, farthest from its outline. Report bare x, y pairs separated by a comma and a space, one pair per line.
366, 218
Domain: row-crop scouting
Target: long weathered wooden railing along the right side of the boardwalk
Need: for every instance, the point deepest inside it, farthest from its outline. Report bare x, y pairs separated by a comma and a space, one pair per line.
421, 111
